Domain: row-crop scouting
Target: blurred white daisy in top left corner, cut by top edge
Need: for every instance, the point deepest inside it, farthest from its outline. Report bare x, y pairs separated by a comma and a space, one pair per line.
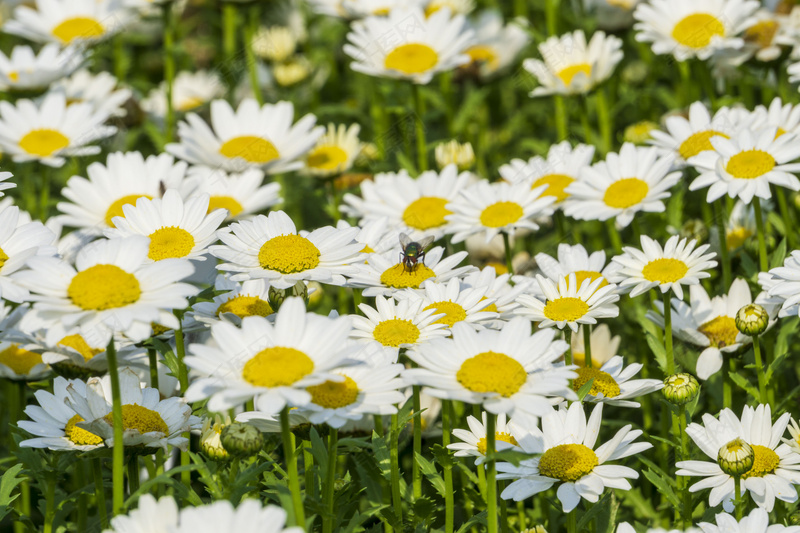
69, 21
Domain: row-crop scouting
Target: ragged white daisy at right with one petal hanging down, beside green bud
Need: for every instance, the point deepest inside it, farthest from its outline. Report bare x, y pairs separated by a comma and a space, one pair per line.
709, 323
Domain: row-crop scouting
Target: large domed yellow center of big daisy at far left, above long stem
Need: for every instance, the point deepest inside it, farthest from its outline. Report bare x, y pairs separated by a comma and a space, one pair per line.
102, 287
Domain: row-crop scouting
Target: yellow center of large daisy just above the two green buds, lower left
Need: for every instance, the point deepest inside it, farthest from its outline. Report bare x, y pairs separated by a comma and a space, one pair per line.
277, 367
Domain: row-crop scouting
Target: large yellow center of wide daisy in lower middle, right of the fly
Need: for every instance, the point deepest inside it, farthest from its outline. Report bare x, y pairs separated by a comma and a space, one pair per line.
492, 372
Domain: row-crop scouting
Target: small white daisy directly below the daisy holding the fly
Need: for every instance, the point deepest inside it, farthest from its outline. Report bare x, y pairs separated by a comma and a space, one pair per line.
397, 324
